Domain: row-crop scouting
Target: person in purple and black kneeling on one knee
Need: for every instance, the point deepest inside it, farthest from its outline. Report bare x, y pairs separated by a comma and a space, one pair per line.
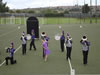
11, 56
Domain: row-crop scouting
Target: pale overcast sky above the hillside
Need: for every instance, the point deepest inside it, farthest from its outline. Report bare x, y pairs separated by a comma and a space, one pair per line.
20, 4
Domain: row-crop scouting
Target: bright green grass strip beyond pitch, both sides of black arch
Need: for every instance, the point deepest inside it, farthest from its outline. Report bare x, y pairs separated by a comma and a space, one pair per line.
48, 20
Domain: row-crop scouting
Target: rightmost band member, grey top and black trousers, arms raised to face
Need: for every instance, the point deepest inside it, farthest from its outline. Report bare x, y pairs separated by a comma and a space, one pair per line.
85, 49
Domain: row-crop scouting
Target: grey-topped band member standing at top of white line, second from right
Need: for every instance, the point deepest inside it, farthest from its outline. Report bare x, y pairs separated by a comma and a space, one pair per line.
68, 47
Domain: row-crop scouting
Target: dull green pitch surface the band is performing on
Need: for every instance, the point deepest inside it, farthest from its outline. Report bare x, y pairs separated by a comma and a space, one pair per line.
33, 64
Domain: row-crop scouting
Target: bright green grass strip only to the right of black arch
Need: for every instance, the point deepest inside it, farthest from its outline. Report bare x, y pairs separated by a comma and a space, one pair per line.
64, 20
